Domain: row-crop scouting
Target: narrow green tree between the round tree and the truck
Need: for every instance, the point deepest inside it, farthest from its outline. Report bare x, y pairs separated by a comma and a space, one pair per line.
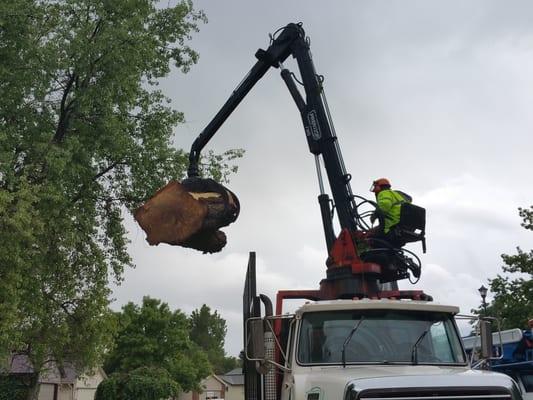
208, 330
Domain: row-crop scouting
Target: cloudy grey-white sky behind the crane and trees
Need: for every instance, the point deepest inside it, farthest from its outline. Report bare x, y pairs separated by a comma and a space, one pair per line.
434, 95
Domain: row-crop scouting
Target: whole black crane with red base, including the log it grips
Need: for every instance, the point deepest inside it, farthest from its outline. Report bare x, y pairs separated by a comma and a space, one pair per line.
190, 213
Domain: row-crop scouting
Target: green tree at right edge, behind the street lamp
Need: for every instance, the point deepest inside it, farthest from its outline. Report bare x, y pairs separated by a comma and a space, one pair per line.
513, 290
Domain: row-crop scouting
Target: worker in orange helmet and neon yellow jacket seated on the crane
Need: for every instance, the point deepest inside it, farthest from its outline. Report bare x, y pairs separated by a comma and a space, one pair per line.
388, 209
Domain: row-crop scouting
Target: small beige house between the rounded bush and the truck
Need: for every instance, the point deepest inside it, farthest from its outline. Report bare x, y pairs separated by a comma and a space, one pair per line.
229, 386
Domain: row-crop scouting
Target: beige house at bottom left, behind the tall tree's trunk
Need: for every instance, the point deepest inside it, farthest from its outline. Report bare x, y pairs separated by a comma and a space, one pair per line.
59, 385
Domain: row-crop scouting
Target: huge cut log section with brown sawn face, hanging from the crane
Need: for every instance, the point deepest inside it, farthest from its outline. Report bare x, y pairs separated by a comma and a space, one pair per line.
189, 214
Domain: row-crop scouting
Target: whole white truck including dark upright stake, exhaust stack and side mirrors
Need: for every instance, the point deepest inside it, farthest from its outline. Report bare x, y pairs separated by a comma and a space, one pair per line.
361, 348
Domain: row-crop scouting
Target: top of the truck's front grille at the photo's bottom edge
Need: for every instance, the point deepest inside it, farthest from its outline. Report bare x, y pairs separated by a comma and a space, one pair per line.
432, 393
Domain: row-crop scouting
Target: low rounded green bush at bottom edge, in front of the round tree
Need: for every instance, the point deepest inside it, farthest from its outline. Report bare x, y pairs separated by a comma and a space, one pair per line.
145, 383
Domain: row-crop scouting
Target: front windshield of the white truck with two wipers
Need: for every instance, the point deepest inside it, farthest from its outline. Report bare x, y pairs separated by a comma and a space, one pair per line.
384, 336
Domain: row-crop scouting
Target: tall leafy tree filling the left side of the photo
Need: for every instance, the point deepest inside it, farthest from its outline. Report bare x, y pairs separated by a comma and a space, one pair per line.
84, 135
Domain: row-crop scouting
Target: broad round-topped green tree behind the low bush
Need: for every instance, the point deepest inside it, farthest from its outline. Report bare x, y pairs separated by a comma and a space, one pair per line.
154, 336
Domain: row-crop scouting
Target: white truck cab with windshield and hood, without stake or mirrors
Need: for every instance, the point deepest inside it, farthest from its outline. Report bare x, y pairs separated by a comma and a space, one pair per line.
381, 349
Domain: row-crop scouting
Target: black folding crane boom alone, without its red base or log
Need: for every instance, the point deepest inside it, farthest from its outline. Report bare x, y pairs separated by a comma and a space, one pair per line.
318, 127
